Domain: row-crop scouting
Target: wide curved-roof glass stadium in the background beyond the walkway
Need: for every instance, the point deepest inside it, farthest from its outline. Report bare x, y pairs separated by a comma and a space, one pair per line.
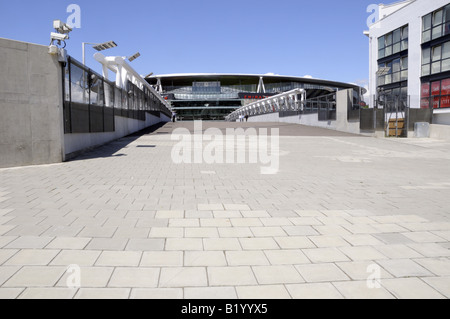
214, 96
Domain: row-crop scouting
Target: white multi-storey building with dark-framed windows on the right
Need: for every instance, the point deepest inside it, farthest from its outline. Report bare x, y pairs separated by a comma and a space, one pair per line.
410, 56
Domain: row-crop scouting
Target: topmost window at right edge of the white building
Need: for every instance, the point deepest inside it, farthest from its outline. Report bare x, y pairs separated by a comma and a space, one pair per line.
436, 24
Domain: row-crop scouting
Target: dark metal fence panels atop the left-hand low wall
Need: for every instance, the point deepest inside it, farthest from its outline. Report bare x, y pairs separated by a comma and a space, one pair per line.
91, 102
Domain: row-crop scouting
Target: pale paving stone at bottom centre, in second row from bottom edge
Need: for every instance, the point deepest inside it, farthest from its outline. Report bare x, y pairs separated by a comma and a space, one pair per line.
231, 276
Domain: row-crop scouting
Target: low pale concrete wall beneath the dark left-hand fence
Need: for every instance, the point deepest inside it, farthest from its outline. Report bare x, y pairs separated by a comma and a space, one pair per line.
76, 143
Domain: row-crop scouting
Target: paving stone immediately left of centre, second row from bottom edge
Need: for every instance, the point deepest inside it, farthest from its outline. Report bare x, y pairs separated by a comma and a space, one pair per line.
183, 277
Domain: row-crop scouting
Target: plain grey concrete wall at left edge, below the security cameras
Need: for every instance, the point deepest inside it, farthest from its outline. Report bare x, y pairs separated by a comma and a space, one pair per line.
31, 129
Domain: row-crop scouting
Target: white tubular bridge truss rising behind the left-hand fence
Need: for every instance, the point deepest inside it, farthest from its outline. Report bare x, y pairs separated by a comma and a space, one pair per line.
124, 73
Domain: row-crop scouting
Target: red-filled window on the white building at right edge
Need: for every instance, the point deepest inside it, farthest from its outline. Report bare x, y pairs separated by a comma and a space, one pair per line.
435, 94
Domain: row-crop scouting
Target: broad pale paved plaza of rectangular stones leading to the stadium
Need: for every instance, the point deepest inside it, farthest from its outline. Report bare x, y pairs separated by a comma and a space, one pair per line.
346, 216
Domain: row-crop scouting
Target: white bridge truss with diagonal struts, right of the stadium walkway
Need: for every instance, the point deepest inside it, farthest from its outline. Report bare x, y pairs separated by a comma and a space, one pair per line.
289, 101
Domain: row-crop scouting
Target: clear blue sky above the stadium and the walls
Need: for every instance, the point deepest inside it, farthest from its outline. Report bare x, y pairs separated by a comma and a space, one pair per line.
322, 38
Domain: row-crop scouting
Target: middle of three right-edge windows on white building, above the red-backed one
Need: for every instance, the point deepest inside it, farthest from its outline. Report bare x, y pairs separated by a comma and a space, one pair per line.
436, 59
